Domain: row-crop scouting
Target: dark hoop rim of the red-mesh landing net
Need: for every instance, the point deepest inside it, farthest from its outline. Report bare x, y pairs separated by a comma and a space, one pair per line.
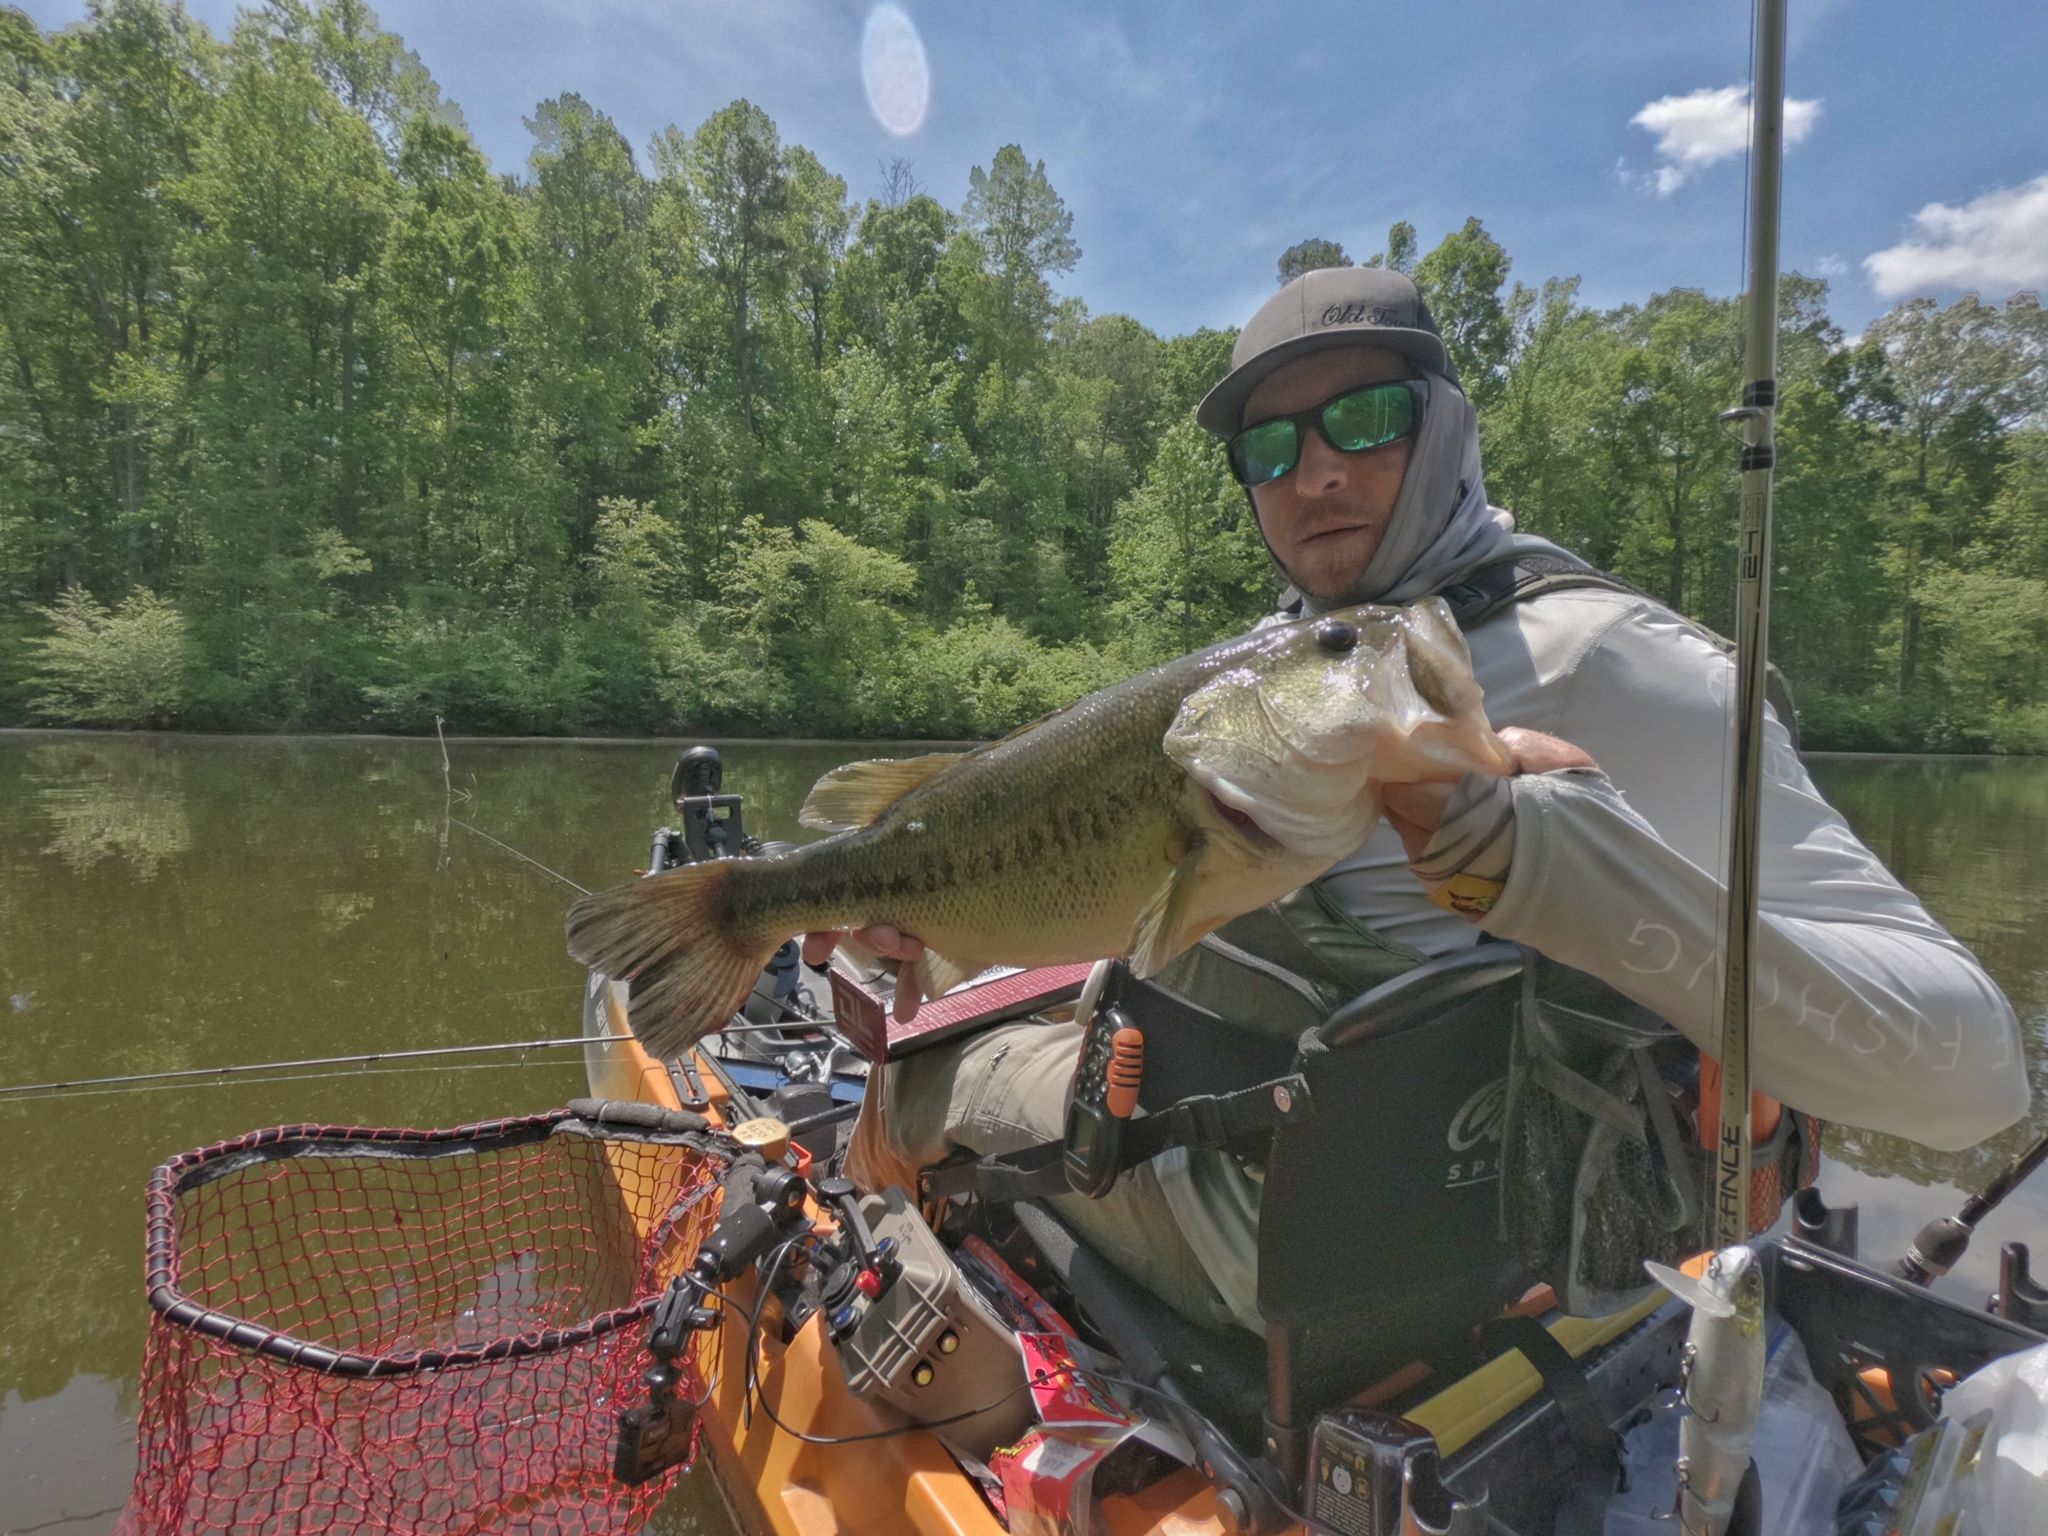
206, 1164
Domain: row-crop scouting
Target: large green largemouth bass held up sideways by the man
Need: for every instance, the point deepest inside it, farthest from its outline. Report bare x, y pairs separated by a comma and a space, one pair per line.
1129, 824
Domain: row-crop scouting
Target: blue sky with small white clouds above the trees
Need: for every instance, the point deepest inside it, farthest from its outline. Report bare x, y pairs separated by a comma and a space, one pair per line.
1197, 142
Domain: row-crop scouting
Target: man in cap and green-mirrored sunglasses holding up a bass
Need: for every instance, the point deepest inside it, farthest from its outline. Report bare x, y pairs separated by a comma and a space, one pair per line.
1361, 458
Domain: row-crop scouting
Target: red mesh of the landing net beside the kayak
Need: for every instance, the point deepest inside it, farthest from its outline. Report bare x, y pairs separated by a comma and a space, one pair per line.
409, 1330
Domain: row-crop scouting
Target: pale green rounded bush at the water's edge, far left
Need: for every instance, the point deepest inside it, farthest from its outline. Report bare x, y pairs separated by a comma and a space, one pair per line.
99, 667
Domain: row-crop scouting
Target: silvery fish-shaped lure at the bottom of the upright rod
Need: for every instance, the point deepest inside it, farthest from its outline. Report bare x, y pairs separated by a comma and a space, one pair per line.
1725, 1355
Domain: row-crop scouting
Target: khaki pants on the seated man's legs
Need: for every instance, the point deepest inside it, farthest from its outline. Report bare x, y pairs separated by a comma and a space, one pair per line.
1005, 1091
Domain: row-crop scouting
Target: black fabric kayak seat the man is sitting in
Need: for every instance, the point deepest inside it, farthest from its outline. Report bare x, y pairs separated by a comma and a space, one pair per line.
1379, 1215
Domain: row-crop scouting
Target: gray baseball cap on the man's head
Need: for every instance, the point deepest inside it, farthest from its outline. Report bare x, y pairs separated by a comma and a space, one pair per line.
1334, 306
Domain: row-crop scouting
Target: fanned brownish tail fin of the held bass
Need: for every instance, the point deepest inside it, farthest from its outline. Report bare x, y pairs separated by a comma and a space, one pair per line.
671, 939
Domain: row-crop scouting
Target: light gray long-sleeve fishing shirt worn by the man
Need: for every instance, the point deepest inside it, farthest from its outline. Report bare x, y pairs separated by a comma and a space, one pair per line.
1869, 1011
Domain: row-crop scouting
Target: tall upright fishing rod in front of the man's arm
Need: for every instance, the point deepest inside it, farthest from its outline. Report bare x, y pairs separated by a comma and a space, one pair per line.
1752, 624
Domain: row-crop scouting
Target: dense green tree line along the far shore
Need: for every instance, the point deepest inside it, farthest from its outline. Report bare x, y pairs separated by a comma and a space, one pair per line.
314, 423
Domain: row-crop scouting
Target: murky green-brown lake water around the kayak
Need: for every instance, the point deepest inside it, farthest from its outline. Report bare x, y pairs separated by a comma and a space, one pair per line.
173, 902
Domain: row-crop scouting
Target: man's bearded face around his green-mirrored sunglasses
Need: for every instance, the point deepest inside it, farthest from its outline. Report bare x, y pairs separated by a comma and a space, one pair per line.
1328, 515
